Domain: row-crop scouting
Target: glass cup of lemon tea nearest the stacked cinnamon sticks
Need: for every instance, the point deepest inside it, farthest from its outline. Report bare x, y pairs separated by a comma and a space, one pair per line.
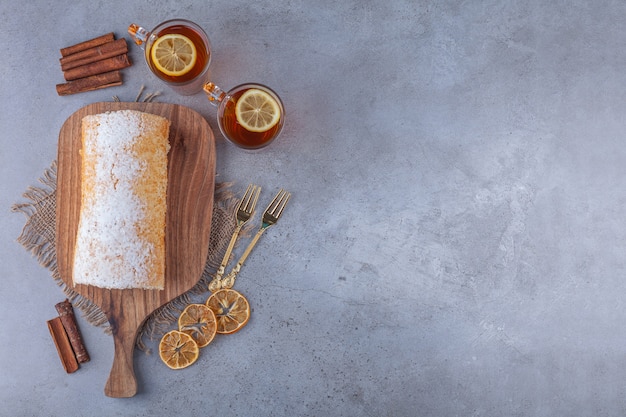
184, 74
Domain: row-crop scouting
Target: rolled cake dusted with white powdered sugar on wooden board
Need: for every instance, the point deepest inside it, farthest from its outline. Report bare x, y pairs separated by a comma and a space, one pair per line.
119, 244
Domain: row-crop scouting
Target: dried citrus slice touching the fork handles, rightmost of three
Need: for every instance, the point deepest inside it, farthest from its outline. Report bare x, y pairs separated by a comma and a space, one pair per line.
231, 309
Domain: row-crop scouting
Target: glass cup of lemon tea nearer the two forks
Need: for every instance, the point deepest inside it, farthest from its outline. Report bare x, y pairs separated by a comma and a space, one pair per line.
241, 107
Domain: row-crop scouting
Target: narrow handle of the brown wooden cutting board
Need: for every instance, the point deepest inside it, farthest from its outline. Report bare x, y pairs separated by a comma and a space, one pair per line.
122, 382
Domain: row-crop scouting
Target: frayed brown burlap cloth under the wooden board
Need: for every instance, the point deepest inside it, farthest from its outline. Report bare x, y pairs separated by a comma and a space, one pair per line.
38, 237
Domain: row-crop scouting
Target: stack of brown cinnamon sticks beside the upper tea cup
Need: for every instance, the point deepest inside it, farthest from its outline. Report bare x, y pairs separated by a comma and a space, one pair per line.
93, 64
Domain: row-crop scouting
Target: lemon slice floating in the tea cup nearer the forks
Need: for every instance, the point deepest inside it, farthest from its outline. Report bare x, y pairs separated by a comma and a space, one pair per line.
257, 110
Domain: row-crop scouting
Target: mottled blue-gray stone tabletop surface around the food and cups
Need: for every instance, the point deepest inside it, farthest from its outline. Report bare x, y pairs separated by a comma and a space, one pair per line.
455, 244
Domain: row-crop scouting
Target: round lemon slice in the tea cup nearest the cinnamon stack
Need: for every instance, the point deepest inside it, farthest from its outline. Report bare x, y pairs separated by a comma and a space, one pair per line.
173, 54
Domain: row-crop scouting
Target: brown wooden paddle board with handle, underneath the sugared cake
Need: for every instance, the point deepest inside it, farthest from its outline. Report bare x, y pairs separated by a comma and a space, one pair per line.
191, 183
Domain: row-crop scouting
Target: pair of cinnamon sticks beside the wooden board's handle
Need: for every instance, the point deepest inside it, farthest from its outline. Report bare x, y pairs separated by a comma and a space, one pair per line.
67, 338
